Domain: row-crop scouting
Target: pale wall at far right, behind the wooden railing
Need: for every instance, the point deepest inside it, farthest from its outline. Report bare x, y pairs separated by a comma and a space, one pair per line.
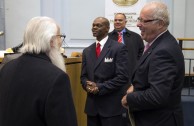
183, 20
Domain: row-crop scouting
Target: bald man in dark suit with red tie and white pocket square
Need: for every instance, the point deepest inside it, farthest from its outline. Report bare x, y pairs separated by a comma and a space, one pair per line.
105, 78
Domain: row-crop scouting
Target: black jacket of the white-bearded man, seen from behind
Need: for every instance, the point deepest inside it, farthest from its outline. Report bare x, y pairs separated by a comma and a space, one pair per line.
34, 92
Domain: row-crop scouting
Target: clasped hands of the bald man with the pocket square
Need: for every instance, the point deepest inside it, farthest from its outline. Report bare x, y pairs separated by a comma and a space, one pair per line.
91, 87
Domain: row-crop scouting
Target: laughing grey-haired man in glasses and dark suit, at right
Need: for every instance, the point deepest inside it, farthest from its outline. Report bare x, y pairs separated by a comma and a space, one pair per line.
155, 97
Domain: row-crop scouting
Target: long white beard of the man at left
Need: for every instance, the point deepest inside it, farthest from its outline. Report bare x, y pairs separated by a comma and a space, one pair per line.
56, 58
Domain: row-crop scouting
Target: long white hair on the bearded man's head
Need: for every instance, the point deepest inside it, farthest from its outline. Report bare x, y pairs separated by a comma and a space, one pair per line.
38, 35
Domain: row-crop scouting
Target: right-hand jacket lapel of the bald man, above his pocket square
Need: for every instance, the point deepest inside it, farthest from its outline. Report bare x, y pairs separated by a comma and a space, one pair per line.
103, 53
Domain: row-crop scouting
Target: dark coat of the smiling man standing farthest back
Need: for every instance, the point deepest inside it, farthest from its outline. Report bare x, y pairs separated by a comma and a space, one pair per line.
135, 47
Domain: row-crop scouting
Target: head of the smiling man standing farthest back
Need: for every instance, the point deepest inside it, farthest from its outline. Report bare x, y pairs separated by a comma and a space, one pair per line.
119, 21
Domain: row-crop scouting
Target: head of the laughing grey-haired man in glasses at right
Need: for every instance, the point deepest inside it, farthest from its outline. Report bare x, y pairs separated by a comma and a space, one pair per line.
153, 20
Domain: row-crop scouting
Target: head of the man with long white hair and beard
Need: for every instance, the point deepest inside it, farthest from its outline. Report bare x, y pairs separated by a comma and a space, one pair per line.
42, 35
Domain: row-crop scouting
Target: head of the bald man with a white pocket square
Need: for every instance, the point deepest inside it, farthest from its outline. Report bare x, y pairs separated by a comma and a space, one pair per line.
100, 28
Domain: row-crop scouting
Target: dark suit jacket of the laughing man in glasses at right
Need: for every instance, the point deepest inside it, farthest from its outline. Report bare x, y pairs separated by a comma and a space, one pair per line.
158, 80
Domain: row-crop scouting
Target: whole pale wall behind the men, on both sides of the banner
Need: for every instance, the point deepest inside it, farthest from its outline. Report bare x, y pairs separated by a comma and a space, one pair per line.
75, 18
